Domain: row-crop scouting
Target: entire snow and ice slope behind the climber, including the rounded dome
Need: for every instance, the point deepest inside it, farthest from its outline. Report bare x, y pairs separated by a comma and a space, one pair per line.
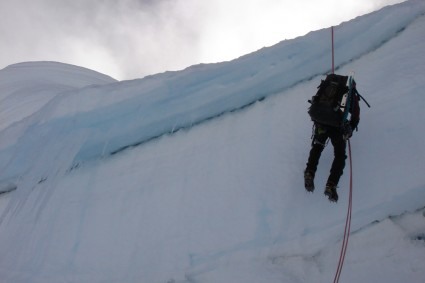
196, 175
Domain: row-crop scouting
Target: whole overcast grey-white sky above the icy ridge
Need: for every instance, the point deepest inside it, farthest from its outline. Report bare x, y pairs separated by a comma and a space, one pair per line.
129, 39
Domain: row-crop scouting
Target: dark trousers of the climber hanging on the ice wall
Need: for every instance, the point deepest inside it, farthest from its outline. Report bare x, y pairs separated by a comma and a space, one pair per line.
321, 135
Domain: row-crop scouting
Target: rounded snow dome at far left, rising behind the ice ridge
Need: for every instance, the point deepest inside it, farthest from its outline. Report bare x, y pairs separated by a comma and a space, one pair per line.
26, 87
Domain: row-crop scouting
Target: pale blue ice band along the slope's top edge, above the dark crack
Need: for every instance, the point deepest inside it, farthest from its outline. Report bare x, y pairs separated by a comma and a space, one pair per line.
141, 110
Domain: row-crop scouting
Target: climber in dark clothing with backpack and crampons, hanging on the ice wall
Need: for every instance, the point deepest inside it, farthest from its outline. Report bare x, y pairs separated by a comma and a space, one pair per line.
335, 99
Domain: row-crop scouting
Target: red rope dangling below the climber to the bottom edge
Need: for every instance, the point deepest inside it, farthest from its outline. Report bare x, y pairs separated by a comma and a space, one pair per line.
347, 221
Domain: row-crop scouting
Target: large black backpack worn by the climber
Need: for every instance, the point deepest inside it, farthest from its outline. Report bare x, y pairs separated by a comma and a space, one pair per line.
329, 103
